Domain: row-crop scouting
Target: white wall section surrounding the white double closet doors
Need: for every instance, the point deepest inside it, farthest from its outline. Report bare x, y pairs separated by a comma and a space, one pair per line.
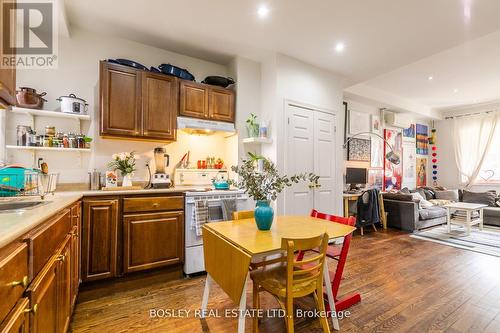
288, 79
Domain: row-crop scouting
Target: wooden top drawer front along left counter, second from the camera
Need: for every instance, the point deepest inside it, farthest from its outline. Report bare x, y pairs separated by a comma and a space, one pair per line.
45, 241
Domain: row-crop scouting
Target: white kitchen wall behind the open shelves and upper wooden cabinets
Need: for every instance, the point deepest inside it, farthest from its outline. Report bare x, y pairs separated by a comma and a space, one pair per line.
78, 73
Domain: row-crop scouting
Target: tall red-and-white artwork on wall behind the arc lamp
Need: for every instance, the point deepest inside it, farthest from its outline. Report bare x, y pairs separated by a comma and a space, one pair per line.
393, 173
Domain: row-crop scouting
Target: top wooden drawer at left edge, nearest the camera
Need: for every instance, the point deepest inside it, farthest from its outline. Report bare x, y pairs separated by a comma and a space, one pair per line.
13, 276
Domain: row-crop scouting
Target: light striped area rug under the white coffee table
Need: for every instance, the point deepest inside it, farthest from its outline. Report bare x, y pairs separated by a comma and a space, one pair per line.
486, 241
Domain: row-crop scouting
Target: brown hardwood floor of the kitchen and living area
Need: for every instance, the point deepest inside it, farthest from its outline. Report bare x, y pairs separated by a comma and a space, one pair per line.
406, 285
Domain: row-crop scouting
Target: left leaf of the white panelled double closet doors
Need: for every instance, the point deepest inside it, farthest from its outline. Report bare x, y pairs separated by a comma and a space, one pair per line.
299, 198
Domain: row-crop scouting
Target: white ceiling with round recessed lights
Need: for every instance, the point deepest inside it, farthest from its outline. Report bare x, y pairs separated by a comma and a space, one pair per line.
390, 45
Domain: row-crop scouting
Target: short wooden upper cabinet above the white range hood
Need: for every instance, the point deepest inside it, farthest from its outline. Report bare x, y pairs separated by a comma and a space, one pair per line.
204, 101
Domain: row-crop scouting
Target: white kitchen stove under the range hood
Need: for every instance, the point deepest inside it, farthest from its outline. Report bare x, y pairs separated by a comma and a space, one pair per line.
203, 190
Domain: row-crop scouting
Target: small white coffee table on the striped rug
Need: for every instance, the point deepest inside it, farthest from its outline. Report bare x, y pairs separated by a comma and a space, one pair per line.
468, 218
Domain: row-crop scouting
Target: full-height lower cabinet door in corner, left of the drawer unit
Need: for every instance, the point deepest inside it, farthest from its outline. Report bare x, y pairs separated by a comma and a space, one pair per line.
99, 239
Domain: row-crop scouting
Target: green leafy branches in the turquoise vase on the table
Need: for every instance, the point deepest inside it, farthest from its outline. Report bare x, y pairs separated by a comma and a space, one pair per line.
267, 183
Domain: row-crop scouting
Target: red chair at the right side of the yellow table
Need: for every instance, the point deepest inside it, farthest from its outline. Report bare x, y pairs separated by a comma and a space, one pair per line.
339, 253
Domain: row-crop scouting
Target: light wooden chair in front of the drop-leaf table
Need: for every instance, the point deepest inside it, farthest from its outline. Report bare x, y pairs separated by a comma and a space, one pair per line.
289, 278
